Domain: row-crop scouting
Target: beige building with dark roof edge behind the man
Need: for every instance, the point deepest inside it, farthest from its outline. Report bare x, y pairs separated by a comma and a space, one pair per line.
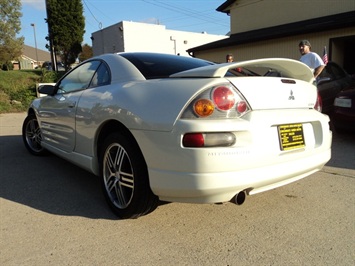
273, 28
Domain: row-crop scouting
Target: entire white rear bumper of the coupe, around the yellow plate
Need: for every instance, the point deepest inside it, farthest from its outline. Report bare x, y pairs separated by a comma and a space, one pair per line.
255, 163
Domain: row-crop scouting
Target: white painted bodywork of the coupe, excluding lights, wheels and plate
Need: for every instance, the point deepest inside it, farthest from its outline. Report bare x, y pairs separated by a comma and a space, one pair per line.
152, 112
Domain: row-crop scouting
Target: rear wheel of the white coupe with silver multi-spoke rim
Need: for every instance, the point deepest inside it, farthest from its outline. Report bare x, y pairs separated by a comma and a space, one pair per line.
124, 178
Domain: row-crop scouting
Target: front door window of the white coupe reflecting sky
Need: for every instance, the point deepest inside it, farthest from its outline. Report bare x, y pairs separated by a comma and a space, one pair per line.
79, 78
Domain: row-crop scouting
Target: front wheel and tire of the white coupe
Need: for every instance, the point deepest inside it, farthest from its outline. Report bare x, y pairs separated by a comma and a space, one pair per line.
32, 136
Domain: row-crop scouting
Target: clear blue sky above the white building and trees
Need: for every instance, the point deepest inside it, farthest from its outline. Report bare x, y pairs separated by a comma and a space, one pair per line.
180, 15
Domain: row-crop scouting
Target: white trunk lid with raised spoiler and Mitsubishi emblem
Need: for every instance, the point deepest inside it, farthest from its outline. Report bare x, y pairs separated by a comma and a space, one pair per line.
279, 83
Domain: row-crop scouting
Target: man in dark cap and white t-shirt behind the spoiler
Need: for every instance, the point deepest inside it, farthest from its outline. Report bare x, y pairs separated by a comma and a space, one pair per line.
311, 59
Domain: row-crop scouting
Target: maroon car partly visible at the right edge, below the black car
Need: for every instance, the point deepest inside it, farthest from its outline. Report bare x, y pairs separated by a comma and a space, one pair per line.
343, 117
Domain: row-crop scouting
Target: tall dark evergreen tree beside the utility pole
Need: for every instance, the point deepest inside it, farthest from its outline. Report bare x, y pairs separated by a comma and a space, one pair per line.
66, 25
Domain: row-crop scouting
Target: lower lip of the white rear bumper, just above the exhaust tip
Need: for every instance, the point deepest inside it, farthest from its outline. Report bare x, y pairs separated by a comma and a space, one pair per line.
222, 186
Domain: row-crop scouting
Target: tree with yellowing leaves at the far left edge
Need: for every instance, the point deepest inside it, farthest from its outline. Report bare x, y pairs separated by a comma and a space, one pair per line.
10, 25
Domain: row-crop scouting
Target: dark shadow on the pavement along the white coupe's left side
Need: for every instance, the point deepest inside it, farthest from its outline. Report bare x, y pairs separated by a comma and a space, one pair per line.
49, 183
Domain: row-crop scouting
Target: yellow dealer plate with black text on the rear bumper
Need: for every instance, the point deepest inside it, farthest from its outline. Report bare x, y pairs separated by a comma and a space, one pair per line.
291, 137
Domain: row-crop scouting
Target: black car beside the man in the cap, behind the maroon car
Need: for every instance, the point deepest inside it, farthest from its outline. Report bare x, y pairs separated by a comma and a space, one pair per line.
331, 81
